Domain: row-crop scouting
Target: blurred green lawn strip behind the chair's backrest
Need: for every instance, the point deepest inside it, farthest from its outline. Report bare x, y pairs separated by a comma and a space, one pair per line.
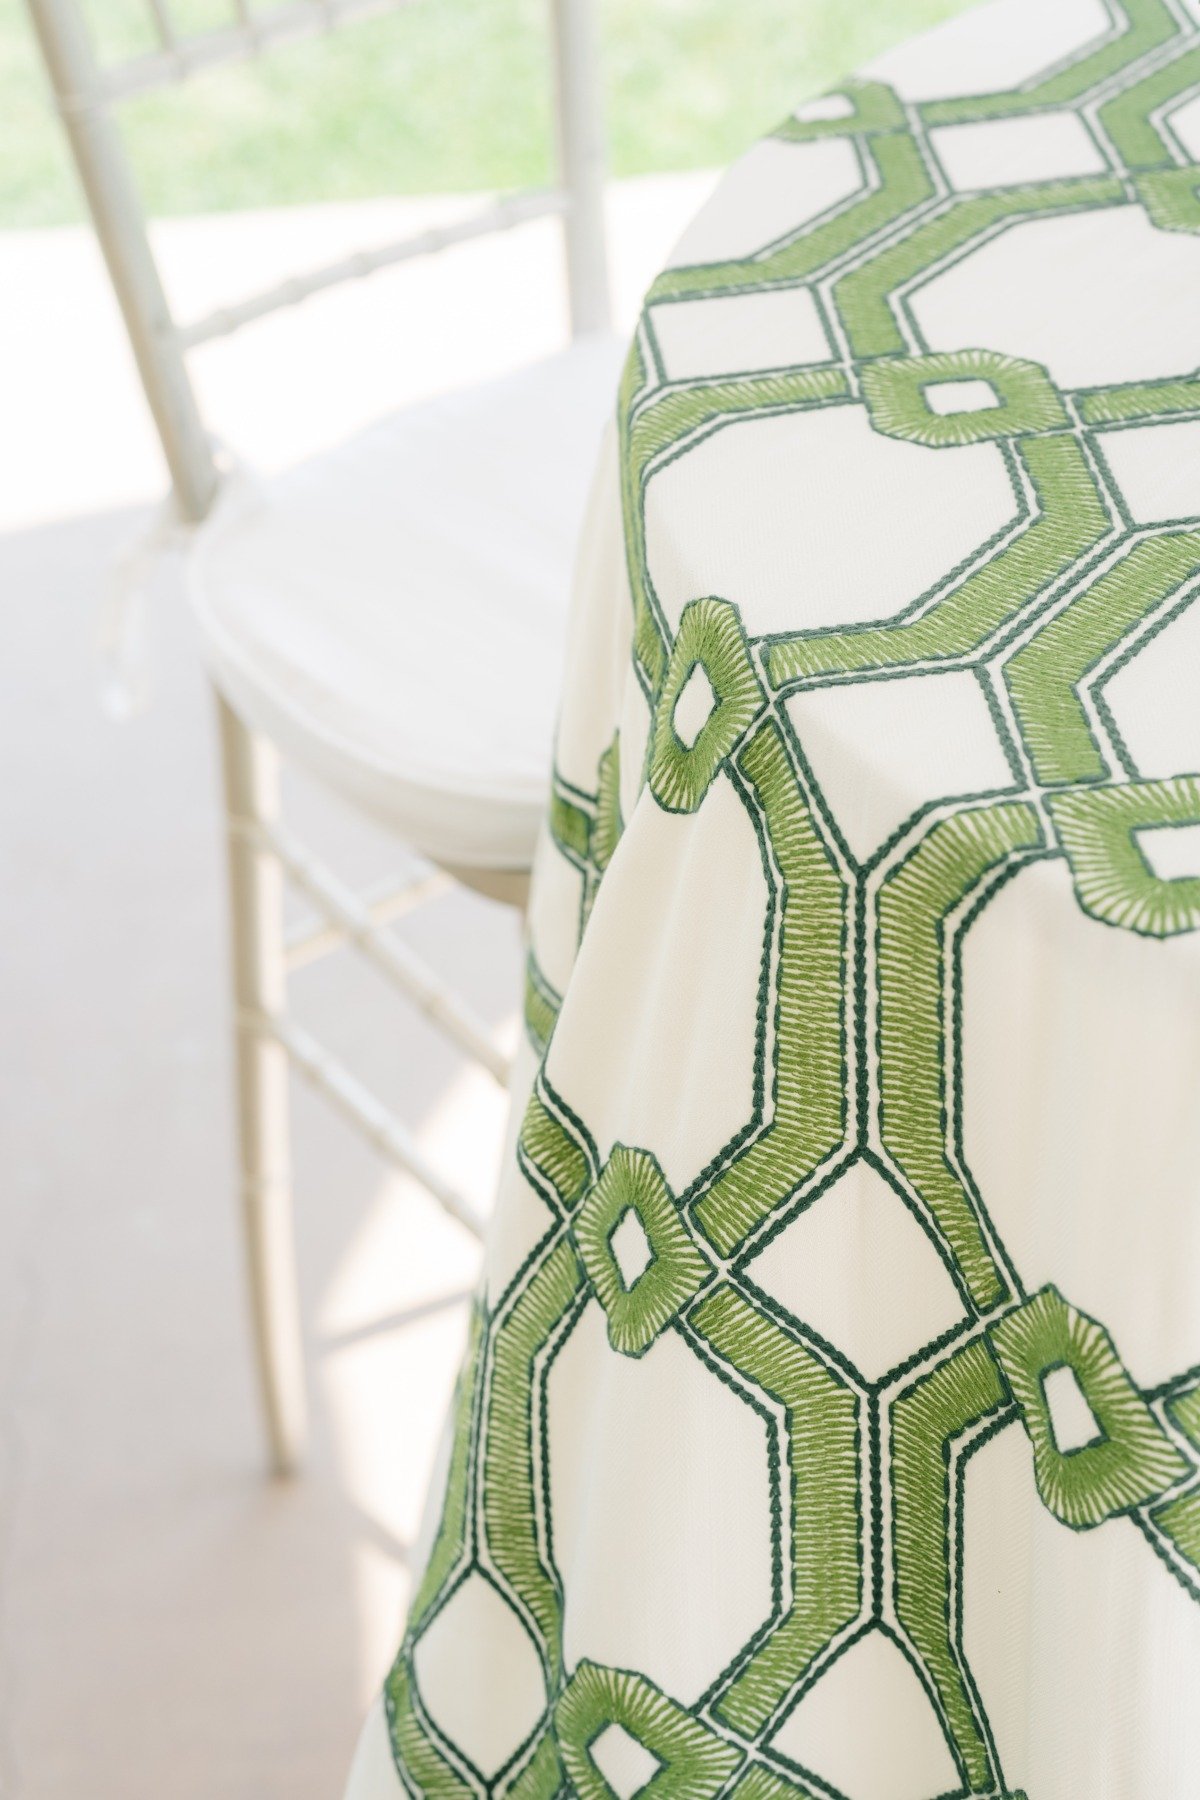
442, 98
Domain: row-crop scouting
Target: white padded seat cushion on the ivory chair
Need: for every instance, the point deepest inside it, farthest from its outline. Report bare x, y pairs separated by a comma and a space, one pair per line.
393, 613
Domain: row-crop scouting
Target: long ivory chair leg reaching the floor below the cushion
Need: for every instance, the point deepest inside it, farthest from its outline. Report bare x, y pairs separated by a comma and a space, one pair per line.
251, 775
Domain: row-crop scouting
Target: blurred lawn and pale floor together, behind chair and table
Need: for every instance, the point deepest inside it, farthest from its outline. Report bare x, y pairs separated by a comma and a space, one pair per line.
170, 1619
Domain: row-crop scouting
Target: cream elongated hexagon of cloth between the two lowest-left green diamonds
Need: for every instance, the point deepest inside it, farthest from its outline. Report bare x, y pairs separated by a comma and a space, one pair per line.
659, 1486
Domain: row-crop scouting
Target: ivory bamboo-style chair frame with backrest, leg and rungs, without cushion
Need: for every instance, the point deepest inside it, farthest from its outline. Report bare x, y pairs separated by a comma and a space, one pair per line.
264, 856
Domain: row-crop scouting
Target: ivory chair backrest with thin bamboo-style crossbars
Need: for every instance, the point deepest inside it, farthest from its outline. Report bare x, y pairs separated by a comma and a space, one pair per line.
89, 93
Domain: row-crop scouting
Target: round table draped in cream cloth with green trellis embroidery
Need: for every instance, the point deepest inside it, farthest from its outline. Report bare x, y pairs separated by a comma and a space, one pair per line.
830, 1423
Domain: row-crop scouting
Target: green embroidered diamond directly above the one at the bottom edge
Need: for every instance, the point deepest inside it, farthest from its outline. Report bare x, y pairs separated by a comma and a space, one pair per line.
632, 1194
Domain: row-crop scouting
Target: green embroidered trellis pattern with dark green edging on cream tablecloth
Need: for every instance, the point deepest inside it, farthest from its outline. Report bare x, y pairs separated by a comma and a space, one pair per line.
859, 1011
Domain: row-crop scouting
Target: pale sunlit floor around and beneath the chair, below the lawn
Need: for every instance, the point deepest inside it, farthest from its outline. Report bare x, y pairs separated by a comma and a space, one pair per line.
172, 1624
